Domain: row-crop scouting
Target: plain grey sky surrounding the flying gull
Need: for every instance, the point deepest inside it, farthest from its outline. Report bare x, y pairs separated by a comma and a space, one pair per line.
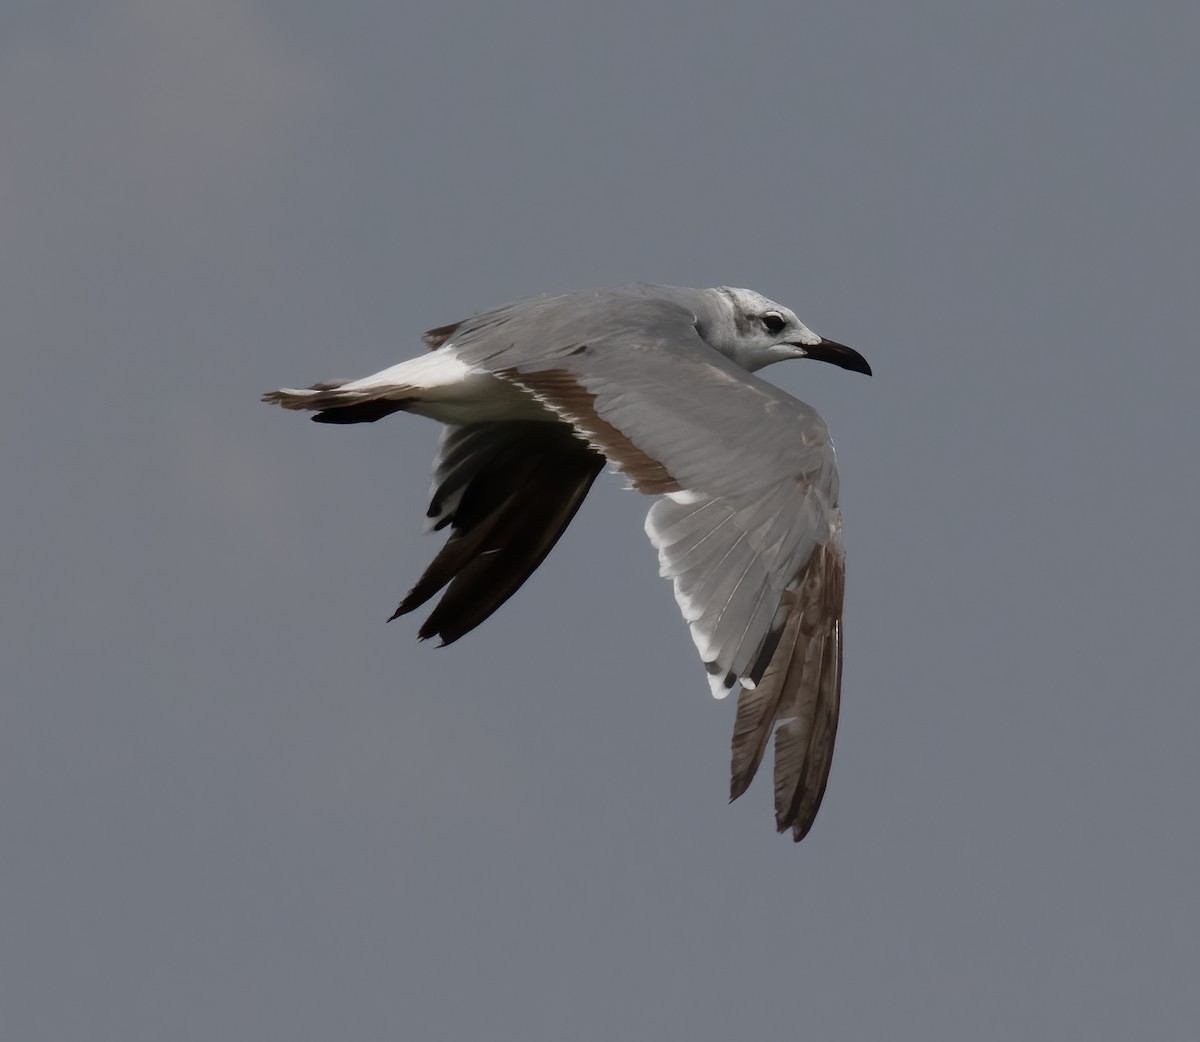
235, 805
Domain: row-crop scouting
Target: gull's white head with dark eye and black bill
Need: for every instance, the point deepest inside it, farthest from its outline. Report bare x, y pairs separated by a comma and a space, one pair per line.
755, 332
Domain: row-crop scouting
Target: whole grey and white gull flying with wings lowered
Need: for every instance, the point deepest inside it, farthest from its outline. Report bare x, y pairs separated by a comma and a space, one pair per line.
658, 382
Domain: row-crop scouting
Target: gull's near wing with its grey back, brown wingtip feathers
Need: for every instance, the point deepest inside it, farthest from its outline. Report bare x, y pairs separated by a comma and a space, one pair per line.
749, 531
